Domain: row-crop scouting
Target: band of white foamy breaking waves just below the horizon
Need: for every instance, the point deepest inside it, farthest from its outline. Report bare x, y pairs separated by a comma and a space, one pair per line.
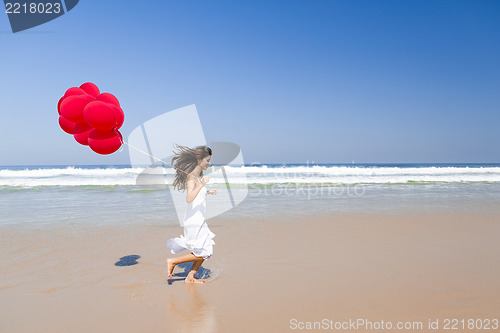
296, 174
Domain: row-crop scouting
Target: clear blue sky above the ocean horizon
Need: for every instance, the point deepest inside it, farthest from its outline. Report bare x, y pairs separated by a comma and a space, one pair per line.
289, 81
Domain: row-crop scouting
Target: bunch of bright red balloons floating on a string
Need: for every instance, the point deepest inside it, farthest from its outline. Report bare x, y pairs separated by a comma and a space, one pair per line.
92, 118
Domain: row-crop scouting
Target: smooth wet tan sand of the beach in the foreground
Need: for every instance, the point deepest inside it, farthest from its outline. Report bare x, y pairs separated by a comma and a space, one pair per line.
266, 275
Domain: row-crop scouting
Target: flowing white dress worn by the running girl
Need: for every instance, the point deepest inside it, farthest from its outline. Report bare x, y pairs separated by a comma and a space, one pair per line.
197, 236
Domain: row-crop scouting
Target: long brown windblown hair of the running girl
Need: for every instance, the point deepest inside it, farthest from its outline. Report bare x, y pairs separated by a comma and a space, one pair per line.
186, 159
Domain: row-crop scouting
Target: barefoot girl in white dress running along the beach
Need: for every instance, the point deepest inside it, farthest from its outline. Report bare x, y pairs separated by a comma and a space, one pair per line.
197, 238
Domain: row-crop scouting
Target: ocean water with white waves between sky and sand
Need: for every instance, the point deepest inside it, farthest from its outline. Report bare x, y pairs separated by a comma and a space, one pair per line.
113, 195
